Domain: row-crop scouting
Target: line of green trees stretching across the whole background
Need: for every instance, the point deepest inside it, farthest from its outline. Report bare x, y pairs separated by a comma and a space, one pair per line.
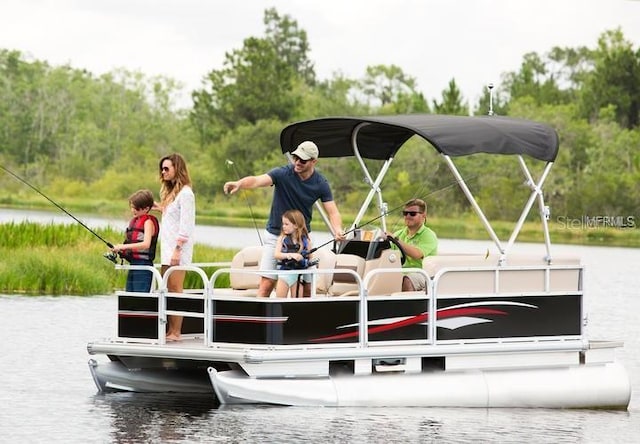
76, 134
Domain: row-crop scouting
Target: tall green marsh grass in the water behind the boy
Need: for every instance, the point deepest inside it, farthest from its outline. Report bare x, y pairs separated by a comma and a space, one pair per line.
57, 259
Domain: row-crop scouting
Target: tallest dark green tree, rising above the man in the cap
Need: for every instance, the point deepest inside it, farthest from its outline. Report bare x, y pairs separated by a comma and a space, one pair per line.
259, 81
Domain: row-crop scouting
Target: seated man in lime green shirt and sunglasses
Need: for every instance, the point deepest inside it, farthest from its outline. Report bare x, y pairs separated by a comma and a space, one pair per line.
418, 241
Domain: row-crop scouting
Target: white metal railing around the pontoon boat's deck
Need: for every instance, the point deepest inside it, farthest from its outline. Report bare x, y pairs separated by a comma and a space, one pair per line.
449, 283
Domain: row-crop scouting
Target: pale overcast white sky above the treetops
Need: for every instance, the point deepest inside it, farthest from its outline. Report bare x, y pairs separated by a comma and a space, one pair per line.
433, 41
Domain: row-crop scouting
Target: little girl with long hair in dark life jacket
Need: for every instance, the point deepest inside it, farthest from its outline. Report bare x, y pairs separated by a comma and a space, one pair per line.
292, 253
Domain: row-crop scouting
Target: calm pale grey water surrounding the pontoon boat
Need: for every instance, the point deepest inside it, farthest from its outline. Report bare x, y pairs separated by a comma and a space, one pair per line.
47, 394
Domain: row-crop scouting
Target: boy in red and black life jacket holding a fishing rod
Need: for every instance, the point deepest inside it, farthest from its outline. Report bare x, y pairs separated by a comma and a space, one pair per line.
139, 247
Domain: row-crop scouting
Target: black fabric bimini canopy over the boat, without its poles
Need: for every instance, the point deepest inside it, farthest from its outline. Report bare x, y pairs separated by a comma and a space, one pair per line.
380, 137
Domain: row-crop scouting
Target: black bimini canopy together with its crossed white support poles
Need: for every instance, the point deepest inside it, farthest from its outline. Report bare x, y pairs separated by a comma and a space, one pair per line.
380, 137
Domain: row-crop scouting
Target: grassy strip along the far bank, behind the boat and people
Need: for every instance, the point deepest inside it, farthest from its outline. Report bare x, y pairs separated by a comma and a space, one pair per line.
592, 230
